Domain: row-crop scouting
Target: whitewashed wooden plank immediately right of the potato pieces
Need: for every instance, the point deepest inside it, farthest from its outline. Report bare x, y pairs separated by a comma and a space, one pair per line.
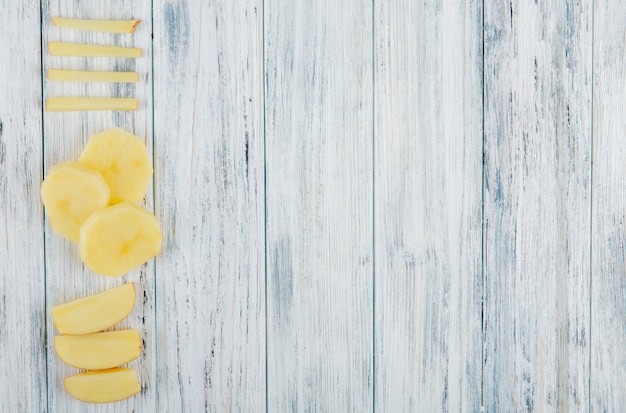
210, 199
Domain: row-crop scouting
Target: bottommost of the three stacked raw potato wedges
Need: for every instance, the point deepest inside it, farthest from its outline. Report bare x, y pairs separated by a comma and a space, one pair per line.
103, 386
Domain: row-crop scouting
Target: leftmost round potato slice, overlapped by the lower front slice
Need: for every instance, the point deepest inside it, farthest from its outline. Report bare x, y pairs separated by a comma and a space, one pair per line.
70, 193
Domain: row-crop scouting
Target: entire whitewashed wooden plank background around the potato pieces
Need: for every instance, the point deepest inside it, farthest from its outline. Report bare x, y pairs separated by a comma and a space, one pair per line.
392, 206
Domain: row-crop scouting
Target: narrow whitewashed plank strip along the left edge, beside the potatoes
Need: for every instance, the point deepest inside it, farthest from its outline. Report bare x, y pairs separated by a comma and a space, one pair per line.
23, 384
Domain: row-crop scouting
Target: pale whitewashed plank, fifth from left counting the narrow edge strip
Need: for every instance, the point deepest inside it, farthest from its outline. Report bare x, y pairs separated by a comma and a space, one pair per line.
428, 174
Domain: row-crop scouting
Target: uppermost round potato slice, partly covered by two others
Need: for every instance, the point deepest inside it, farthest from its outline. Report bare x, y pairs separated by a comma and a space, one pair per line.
123, 161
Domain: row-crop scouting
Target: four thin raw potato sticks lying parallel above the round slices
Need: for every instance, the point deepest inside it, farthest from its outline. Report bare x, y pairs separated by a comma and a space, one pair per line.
65, 104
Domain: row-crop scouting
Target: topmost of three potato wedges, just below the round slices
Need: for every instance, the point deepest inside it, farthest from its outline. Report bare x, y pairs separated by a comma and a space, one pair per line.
96, 312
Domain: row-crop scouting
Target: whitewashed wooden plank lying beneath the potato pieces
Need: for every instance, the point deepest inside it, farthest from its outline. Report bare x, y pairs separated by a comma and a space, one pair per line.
64, 138
